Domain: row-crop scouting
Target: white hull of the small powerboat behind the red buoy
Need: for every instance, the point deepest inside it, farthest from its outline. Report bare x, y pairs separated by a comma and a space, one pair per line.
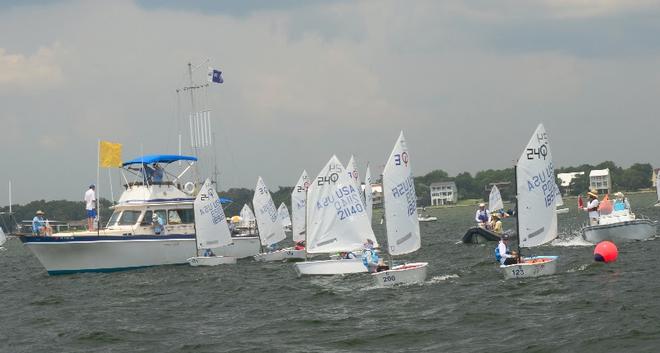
637, 229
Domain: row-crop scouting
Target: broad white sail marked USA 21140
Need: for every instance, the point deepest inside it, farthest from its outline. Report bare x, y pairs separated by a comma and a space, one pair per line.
336, 218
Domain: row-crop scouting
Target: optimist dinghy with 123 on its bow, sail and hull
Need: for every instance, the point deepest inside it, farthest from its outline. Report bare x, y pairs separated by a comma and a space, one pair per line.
536, 216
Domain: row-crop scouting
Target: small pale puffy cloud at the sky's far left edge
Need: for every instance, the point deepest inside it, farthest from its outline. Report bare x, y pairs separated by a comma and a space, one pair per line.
31, 72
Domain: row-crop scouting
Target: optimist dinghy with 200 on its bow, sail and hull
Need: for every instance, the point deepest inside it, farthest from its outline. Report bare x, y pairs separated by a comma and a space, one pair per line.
402, 224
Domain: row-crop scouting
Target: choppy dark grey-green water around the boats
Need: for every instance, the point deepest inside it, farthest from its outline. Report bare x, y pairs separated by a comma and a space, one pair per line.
464, 306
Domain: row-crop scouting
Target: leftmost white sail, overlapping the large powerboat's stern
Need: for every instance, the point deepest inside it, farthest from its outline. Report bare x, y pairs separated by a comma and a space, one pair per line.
211, 228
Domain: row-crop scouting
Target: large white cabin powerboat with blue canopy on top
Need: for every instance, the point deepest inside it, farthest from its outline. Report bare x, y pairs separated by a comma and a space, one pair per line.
130, 239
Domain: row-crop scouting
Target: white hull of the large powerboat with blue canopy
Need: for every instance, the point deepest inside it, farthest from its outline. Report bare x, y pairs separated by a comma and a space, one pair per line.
70, 254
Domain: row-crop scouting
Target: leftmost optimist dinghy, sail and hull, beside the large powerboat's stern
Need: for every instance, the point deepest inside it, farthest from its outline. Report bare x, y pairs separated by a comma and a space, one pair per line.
211, 228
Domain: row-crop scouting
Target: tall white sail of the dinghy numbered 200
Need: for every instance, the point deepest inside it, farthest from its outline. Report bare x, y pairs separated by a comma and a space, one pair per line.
403, 234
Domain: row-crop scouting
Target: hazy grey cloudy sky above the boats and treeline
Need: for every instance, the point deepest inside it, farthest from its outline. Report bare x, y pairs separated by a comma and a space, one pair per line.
467, 82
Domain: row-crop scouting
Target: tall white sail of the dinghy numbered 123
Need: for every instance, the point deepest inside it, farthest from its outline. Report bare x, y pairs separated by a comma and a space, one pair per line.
535, 173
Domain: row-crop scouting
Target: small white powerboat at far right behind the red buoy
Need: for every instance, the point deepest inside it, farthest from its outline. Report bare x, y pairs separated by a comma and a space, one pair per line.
620, 226
